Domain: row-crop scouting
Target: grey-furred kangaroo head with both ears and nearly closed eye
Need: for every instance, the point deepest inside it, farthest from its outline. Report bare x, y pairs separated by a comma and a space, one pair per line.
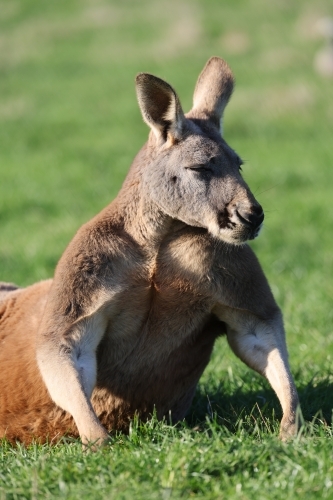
191, 173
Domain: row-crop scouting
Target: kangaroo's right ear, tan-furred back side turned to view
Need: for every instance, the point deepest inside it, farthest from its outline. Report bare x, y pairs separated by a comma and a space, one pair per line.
212, 92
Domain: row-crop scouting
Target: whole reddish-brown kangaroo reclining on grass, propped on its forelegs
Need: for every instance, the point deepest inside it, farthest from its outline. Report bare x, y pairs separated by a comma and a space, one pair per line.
142, 292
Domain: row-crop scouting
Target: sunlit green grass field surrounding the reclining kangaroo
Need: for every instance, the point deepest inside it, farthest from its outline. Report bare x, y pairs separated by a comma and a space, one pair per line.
69, 128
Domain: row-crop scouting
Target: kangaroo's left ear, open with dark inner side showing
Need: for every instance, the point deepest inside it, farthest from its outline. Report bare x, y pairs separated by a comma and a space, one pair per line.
160, 107
